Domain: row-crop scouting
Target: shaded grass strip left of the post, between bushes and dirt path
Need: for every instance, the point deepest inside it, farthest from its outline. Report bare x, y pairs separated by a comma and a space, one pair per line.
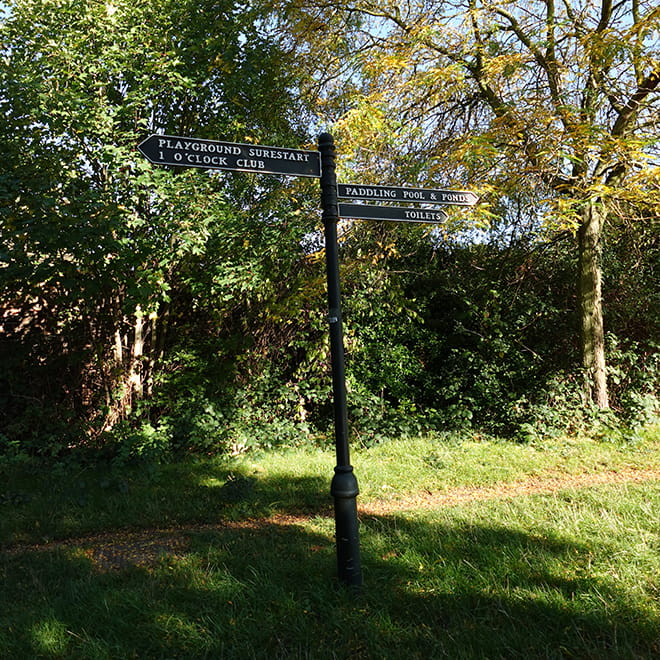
89, 501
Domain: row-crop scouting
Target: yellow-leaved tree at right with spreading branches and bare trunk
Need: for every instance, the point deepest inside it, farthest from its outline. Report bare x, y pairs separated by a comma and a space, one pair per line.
559, 98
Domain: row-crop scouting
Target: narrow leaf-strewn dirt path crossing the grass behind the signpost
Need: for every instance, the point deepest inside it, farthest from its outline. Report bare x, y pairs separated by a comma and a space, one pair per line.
120, 549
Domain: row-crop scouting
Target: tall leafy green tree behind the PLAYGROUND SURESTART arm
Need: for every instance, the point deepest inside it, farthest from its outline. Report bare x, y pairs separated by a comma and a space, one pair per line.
98, 247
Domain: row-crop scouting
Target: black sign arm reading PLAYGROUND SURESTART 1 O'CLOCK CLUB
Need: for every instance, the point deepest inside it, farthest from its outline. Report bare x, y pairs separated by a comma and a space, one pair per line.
210, 154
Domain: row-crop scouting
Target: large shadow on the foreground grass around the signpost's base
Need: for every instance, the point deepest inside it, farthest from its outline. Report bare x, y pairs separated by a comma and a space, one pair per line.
262, 589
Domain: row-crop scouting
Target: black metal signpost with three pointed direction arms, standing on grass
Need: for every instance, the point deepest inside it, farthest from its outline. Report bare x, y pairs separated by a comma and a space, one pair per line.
211, 154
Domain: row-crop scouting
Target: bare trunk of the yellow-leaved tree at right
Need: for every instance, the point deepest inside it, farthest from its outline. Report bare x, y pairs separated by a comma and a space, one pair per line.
591, 307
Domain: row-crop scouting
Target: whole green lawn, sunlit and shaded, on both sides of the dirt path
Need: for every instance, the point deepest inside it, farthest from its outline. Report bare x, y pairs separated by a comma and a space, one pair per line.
568, 574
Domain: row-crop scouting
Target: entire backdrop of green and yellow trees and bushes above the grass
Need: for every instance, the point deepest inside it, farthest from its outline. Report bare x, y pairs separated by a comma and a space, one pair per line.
158, 309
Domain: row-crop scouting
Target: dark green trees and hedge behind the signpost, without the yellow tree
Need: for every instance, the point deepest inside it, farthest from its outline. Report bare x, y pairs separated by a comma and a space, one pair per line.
150, 312
